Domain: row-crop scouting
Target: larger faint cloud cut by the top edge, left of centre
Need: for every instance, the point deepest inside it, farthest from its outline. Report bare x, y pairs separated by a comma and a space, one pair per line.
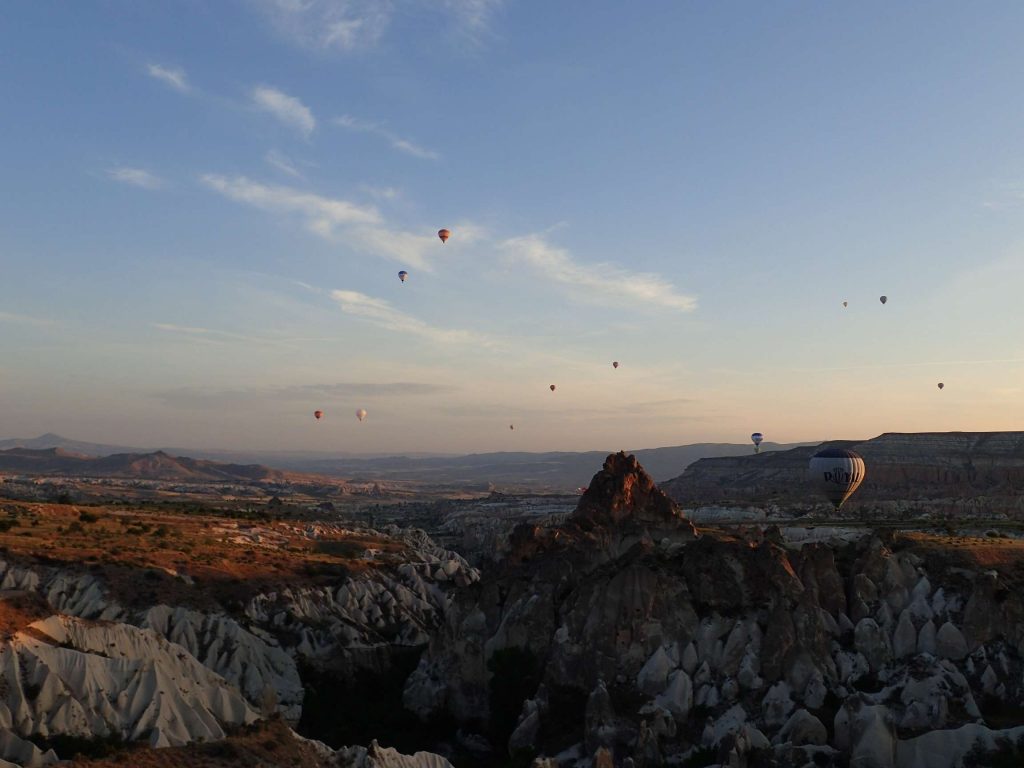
346, 26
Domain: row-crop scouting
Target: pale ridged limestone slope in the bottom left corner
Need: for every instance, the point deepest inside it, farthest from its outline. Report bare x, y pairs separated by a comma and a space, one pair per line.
63, 675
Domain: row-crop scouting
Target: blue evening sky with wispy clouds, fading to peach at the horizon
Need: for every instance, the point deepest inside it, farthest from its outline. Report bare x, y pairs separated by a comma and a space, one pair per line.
205, 204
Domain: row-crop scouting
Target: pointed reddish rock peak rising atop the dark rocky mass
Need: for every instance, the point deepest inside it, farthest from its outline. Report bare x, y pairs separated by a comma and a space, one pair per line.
622, 494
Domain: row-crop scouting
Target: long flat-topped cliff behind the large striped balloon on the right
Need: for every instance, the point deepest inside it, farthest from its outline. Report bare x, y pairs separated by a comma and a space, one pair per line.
947, 473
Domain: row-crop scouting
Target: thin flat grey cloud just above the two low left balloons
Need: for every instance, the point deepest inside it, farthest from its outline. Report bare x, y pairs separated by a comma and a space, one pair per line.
319, 394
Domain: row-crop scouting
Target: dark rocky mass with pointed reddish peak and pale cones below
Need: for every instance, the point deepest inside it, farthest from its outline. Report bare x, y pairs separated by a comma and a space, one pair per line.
816, 653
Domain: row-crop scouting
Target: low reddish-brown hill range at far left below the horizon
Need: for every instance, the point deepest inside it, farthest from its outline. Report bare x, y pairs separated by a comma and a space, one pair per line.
155, 466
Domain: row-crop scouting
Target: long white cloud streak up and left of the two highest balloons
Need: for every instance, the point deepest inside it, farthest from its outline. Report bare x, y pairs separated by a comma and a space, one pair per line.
323, 216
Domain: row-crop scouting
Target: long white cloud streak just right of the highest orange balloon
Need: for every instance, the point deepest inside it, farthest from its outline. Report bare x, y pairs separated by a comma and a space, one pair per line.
603, 283
